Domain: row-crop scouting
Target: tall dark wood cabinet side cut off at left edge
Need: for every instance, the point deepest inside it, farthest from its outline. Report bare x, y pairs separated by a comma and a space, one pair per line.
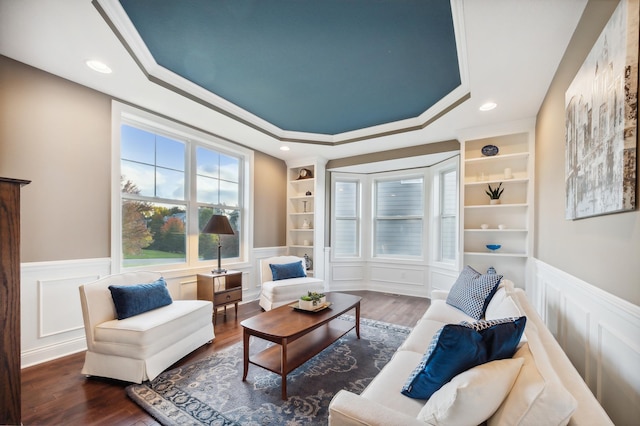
10, 388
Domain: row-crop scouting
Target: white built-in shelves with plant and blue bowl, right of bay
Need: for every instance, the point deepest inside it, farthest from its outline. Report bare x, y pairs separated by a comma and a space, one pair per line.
513, 166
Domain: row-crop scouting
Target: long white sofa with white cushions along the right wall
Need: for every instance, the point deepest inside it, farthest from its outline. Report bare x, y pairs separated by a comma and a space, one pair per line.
546, 388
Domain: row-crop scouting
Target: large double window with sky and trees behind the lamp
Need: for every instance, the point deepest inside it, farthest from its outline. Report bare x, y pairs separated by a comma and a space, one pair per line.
170, 186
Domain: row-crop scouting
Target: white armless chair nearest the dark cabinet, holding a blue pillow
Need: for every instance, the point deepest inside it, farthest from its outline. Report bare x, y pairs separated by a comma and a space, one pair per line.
140, 347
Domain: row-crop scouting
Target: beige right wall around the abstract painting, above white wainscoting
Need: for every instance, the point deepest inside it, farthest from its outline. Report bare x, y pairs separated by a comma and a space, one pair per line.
605, 250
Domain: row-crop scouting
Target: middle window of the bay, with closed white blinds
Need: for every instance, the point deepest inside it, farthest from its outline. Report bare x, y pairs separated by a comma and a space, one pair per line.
398, 217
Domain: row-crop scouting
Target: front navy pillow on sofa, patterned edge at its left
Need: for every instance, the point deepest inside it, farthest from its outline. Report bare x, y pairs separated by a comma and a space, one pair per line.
454, 349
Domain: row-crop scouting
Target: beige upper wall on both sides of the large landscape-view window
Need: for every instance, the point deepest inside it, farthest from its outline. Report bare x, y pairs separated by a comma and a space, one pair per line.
58, 135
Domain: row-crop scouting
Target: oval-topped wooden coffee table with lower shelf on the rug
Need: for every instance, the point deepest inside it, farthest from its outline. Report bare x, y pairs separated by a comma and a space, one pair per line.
299, 335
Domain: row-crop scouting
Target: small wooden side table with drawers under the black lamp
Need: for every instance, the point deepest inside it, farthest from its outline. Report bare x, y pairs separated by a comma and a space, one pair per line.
221, 289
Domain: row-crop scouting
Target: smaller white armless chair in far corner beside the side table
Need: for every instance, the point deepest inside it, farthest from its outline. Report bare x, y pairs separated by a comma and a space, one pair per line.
281, 292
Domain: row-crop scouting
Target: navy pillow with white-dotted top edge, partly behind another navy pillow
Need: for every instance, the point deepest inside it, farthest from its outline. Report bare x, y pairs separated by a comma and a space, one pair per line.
500, 336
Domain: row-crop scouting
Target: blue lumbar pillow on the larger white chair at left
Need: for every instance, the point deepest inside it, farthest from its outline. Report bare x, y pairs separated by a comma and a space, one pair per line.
132, 300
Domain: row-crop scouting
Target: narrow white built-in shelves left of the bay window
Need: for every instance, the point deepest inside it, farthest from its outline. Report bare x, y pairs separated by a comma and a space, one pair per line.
305, 213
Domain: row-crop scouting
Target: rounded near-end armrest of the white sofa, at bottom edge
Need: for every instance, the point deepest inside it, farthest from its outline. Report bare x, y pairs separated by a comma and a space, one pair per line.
349, 409
